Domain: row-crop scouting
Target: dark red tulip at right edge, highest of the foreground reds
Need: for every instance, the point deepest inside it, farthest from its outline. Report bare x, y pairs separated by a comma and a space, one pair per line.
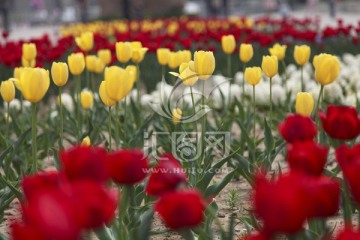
340, 122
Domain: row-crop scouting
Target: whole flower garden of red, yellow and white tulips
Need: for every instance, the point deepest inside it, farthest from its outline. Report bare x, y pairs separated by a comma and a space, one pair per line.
183, 128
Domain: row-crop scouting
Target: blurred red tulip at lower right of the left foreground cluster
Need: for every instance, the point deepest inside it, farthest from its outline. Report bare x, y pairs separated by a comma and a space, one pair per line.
94, 204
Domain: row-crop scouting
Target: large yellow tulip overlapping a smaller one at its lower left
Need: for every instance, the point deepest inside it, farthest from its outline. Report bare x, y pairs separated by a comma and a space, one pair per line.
117, 83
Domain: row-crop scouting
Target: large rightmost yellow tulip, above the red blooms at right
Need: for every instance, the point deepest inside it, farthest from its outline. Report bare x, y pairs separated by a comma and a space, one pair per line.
327, 68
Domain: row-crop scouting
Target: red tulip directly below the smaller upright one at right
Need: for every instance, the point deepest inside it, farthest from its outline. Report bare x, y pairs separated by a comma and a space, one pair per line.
308, 157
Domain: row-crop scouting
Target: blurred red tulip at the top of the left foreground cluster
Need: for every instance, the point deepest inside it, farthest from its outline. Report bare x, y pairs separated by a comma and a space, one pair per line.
81, 162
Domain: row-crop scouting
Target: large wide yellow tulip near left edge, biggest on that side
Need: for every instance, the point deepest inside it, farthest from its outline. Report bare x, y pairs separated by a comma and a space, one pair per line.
34, 83
